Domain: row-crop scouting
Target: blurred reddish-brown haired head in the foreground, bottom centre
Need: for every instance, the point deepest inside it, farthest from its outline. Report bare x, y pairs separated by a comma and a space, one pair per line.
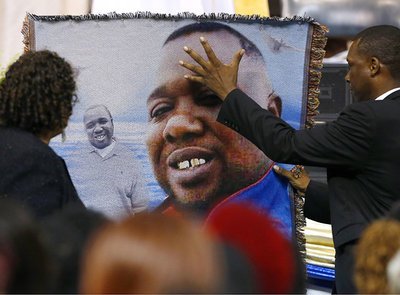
150, 253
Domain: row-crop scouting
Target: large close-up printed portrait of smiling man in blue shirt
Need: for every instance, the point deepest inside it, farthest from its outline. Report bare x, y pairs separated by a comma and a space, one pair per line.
198, 162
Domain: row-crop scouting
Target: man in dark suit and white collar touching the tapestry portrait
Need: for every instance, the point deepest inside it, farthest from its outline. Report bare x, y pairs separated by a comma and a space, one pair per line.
360, 149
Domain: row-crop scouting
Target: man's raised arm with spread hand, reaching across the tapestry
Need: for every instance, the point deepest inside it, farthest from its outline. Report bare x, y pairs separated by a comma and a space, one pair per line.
343, 142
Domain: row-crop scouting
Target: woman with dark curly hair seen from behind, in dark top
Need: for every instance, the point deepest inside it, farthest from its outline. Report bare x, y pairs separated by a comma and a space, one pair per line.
36, 100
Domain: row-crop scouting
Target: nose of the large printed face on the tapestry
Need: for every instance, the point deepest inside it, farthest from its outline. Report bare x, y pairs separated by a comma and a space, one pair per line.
181, 127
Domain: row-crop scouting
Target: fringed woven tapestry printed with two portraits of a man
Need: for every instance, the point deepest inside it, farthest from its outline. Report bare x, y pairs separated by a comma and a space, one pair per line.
161, 129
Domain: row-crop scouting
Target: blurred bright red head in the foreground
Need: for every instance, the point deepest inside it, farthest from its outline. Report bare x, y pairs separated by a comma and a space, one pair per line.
275, 262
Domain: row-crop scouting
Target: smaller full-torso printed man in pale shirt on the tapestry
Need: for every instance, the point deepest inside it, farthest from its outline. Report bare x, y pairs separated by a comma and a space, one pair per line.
106, 173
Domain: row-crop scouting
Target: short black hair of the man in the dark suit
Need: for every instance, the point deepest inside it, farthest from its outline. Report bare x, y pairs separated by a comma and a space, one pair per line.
382, 42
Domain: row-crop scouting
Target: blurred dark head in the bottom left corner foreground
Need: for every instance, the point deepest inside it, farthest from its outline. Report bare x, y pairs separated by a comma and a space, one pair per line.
23, 259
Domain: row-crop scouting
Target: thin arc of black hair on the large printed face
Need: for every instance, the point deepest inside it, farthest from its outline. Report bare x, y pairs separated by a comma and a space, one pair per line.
246, 44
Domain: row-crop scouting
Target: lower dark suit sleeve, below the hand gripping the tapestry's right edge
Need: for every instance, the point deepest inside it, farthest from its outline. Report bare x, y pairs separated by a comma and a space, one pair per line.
316, 206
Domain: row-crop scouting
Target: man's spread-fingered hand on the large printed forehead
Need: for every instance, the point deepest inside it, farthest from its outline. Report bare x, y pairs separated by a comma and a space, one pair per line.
219, 77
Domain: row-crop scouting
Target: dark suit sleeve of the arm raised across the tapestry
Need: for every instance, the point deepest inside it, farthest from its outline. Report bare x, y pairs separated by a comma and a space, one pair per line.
342, 142
